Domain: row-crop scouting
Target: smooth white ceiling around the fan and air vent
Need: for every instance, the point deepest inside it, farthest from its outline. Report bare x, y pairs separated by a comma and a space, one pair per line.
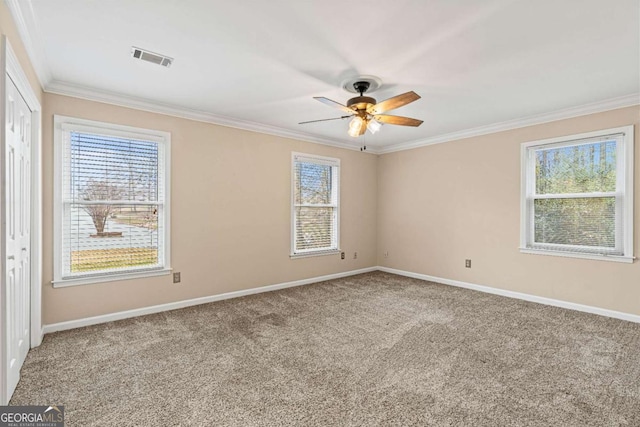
257, 64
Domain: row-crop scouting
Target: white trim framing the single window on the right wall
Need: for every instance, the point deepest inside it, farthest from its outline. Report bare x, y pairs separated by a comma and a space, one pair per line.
624, 186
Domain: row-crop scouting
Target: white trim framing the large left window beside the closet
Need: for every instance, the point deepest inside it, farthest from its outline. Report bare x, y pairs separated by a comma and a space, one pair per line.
63, 124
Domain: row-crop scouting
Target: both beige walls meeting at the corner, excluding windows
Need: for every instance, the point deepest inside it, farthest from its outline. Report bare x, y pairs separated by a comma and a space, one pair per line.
430, 208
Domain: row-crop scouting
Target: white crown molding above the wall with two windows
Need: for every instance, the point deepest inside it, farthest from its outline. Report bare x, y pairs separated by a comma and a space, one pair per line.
77, 91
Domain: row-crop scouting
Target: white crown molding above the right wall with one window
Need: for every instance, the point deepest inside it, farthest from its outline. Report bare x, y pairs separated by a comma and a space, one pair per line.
583, 110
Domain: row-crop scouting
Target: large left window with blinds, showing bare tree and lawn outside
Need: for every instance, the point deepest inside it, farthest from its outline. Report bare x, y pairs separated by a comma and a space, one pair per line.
111, 208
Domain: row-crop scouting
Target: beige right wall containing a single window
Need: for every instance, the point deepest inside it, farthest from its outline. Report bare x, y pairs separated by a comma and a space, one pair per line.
441, 204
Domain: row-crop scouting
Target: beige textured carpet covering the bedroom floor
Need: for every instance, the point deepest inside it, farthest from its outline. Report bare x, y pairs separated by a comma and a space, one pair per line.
368, 350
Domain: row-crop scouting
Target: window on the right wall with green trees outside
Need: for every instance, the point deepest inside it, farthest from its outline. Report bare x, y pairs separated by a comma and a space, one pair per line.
577, 195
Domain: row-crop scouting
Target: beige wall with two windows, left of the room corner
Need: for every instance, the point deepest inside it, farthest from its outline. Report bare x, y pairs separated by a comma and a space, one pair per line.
230, 213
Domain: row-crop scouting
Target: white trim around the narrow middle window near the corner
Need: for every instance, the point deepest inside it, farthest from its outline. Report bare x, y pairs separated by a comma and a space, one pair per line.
334, 163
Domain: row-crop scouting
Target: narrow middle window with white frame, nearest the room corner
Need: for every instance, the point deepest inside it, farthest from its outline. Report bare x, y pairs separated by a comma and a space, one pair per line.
315, 205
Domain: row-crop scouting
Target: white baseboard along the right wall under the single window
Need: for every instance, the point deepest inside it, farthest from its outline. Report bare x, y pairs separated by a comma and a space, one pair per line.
518, 295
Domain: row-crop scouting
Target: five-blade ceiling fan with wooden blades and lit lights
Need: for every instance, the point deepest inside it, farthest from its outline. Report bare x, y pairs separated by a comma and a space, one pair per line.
366, 113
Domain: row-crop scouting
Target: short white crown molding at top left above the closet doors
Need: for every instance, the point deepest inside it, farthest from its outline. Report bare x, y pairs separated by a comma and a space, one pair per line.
24, 18
